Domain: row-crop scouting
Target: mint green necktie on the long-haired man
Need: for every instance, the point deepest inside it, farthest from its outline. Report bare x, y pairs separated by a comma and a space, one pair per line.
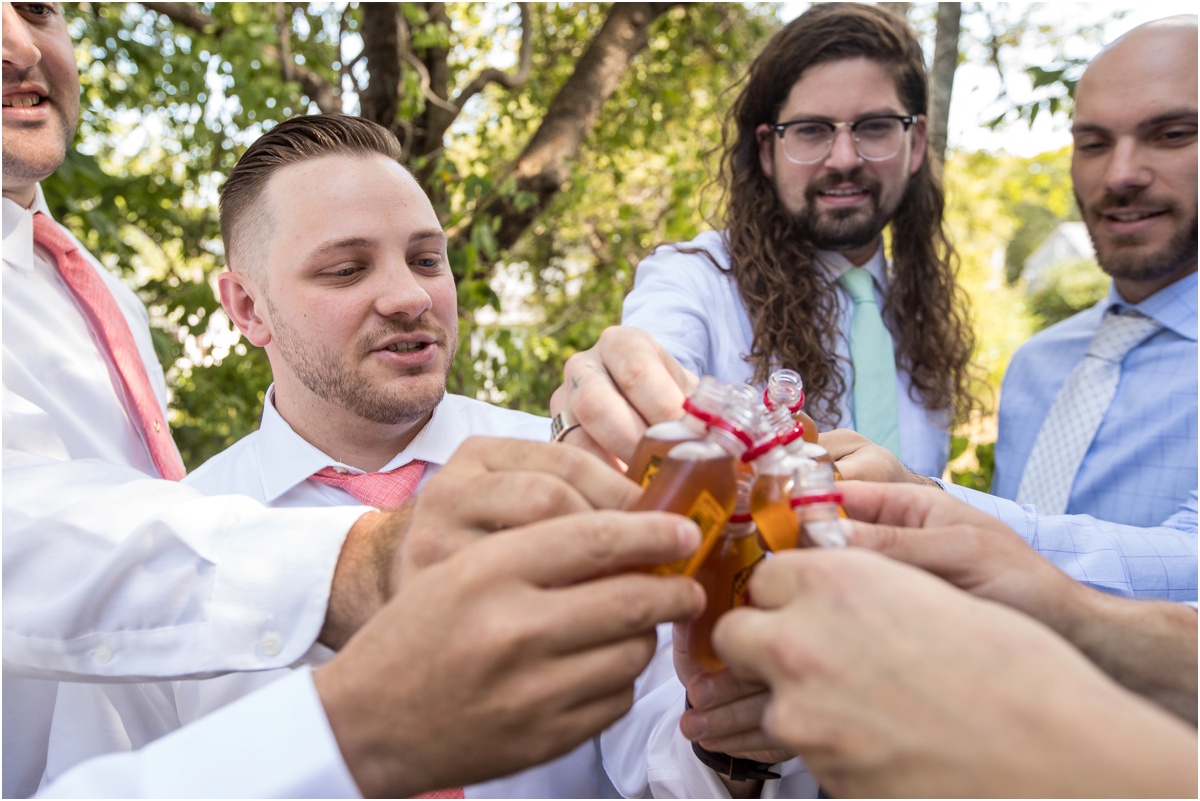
877, 407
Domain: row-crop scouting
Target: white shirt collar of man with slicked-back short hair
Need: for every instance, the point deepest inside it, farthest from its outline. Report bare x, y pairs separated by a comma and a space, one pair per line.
286, 460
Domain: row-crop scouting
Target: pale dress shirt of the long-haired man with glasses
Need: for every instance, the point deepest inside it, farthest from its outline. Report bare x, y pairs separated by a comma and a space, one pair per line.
694, 311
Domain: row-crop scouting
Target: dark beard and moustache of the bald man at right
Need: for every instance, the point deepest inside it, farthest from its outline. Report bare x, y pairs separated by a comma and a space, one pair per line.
1126, 257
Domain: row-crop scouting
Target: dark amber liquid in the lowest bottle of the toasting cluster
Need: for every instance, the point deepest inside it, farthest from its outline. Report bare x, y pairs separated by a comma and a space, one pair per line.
725, 576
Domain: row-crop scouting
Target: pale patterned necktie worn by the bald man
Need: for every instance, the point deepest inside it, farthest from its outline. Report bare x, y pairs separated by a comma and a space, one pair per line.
1067, 433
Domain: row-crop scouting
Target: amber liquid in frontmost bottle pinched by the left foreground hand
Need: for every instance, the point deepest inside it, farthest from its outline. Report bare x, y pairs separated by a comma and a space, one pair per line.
698, 480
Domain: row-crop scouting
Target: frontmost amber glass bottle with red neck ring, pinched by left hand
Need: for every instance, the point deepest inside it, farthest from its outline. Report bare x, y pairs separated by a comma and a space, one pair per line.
700, 480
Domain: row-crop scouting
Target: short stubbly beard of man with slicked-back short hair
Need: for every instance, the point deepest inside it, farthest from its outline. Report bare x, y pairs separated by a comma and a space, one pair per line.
329, 377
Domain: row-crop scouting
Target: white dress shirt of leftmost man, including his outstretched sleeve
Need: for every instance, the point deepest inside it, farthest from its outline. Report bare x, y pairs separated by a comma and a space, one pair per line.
110, 573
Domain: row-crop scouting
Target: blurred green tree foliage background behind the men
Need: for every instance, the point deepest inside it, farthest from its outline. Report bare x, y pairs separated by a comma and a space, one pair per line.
560, 143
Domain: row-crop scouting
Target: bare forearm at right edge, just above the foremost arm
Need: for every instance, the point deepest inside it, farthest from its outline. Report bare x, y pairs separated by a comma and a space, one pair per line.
1149, 647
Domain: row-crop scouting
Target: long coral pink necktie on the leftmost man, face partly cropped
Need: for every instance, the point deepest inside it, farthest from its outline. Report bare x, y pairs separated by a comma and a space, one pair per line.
110, 326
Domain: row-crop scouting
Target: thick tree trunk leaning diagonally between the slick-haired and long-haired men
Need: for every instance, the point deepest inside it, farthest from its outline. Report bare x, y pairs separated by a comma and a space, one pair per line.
545, 164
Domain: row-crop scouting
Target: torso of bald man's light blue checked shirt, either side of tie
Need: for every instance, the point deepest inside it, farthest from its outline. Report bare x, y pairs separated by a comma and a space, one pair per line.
1142, 466
